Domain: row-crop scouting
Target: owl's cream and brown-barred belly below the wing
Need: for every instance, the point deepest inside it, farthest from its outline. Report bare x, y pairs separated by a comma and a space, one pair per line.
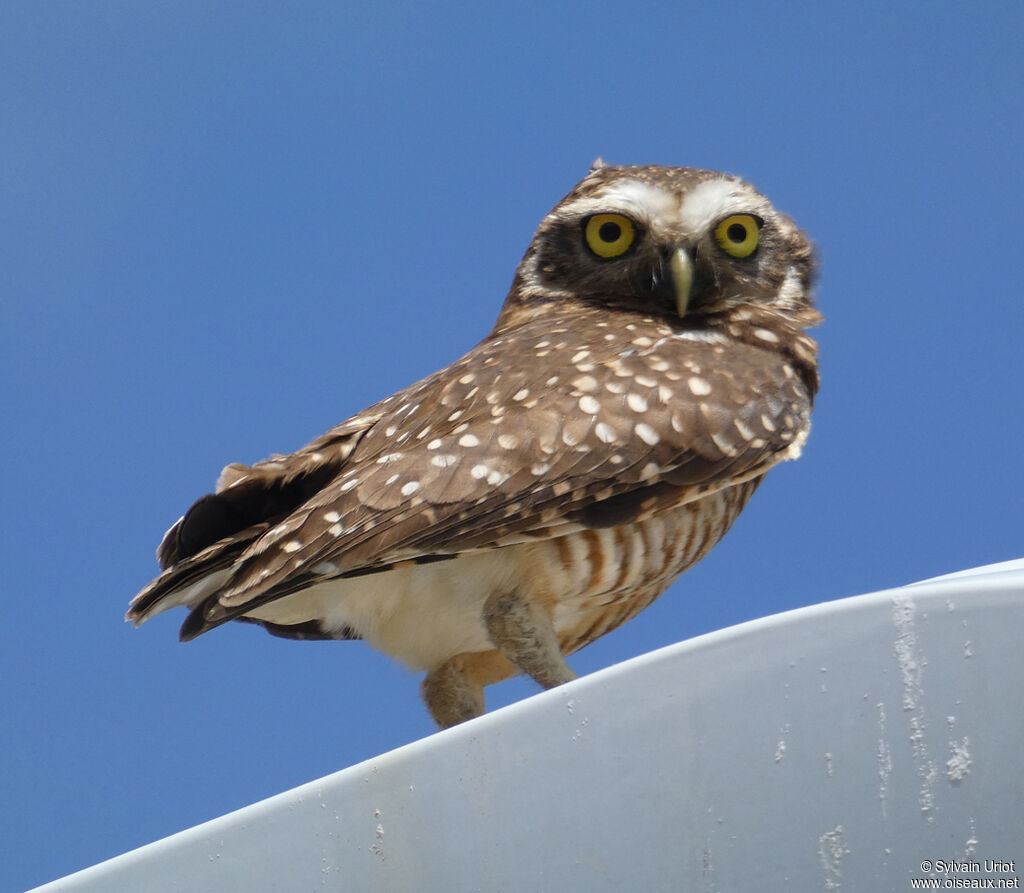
591, 582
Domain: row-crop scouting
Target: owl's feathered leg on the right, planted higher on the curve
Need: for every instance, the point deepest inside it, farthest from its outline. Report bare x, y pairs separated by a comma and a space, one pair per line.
523, 631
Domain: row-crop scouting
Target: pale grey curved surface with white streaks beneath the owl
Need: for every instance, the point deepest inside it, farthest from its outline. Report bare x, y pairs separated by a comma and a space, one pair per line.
832, 748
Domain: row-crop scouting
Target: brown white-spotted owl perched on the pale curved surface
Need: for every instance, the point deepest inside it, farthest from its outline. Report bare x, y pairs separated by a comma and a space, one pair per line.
648, 369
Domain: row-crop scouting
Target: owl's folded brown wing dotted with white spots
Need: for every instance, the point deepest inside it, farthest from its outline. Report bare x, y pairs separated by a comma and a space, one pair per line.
526, 437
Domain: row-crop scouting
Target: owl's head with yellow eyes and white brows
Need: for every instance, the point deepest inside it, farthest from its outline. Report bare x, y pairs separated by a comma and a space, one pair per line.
676, 242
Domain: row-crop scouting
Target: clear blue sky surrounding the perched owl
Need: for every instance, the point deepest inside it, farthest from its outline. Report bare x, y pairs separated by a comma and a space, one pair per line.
229, 227
